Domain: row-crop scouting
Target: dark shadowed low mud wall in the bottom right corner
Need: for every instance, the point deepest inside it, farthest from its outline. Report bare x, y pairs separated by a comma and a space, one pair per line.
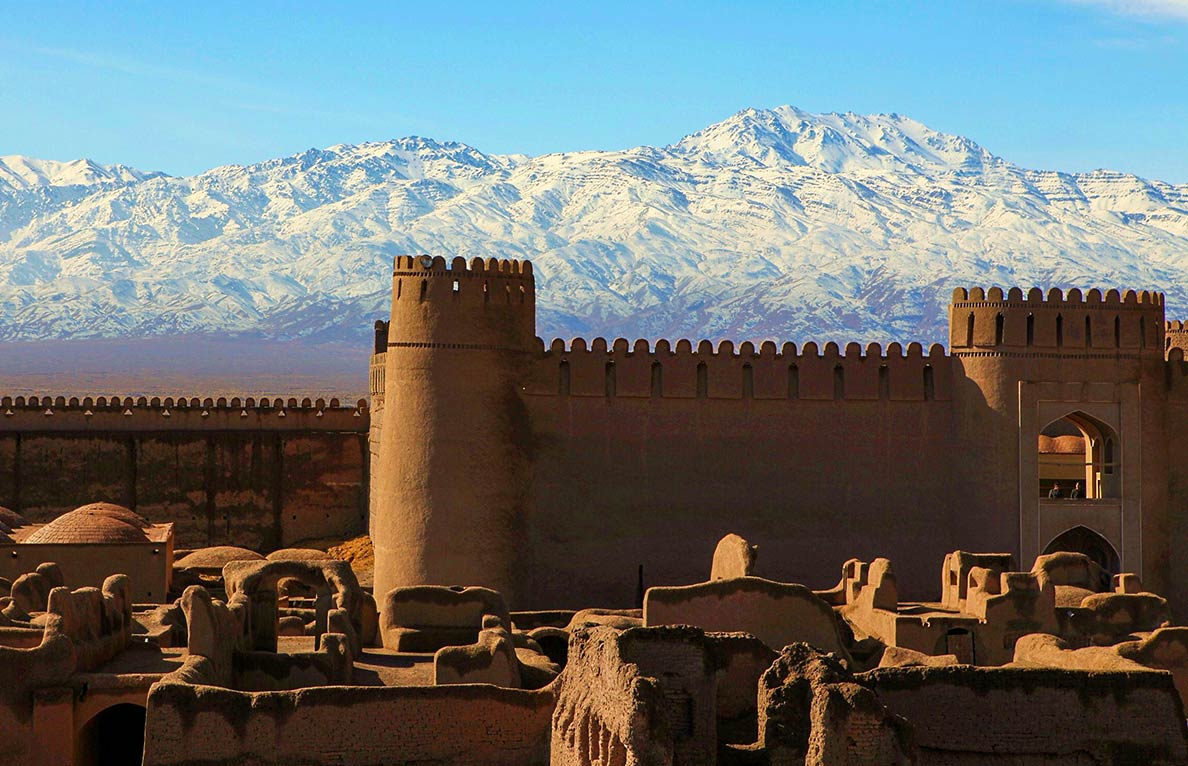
964, 716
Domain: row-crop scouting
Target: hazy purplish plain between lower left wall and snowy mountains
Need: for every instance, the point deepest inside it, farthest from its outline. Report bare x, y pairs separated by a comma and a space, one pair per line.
195, 365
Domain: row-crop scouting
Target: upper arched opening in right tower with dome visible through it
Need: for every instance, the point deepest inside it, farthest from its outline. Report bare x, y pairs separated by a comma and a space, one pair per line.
1079, 459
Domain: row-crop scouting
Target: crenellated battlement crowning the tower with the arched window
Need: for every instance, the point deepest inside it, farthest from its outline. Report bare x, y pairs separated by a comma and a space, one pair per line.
1094, 324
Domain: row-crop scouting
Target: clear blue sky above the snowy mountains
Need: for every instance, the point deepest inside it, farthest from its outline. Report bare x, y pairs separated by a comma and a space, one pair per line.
1070, 85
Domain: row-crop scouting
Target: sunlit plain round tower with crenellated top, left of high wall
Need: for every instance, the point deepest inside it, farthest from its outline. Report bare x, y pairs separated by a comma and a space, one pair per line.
453, 471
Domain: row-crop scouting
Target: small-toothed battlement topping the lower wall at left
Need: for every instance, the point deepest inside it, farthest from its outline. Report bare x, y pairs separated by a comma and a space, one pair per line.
180, 414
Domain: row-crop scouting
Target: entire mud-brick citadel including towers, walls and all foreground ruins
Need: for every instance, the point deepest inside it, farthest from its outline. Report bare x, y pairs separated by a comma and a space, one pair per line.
617, 554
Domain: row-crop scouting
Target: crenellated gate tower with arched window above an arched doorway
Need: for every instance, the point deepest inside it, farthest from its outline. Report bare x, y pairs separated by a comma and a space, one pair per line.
1090, 362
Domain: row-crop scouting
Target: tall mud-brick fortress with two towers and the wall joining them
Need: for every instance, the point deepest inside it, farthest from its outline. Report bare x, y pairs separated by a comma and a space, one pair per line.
554, 472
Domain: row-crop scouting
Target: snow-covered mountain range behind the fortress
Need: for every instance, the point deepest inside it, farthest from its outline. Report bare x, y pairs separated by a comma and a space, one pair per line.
774, 224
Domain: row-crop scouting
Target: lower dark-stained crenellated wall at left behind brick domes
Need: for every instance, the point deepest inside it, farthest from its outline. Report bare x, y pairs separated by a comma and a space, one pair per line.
239, 476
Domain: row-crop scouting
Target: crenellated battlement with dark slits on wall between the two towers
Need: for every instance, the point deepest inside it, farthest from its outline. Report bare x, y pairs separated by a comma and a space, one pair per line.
684, 371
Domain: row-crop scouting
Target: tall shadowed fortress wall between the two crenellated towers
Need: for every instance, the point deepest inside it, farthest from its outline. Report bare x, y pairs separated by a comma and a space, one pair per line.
628, 480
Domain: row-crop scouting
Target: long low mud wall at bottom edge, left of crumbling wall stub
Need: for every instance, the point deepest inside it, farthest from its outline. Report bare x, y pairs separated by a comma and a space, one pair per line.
349, 726
